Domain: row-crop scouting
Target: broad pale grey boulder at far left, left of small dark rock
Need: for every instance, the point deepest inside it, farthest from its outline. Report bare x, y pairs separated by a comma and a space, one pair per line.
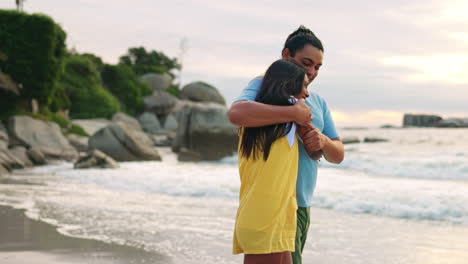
44, 135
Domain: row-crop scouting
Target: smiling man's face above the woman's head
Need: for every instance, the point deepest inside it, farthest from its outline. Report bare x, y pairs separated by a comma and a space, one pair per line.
310, 58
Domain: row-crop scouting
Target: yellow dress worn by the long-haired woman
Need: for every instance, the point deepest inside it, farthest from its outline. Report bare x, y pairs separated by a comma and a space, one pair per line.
266, 218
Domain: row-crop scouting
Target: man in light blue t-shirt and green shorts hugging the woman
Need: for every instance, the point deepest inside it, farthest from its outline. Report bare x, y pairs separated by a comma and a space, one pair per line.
318, 132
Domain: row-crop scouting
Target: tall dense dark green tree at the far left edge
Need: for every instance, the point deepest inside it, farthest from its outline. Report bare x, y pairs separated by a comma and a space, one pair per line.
33, 48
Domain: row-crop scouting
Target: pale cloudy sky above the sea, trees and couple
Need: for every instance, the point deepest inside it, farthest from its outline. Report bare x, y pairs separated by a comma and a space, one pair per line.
382, 58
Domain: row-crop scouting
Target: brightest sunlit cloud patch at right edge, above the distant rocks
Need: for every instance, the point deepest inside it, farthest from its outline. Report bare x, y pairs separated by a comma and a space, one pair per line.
448, 68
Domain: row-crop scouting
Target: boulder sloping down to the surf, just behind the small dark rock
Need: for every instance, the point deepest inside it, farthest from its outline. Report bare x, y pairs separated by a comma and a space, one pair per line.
123, 143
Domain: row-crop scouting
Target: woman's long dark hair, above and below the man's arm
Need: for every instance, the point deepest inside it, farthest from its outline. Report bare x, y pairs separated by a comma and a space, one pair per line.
282, 80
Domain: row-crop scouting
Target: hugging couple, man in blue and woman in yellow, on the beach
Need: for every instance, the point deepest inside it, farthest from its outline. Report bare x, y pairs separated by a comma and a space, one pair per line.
284, 131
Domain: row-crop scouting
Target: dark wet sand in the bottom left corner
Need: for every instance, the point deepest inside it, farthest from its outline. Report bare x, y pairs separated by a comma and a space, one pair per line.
24, 240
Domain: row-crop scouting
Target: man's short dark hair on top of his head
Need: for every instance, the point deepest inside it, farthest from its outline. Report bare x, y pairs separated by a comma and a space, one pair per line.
299, 38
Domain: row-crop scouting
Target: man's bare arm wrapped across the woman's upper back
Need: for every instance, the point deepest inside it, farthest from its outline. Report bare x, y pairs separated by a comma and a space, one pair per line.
255, 114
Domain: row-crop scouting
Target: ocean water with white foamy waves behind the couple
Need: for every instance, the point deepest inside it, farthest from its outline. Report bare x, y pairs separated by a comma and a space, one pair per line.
186, 210
